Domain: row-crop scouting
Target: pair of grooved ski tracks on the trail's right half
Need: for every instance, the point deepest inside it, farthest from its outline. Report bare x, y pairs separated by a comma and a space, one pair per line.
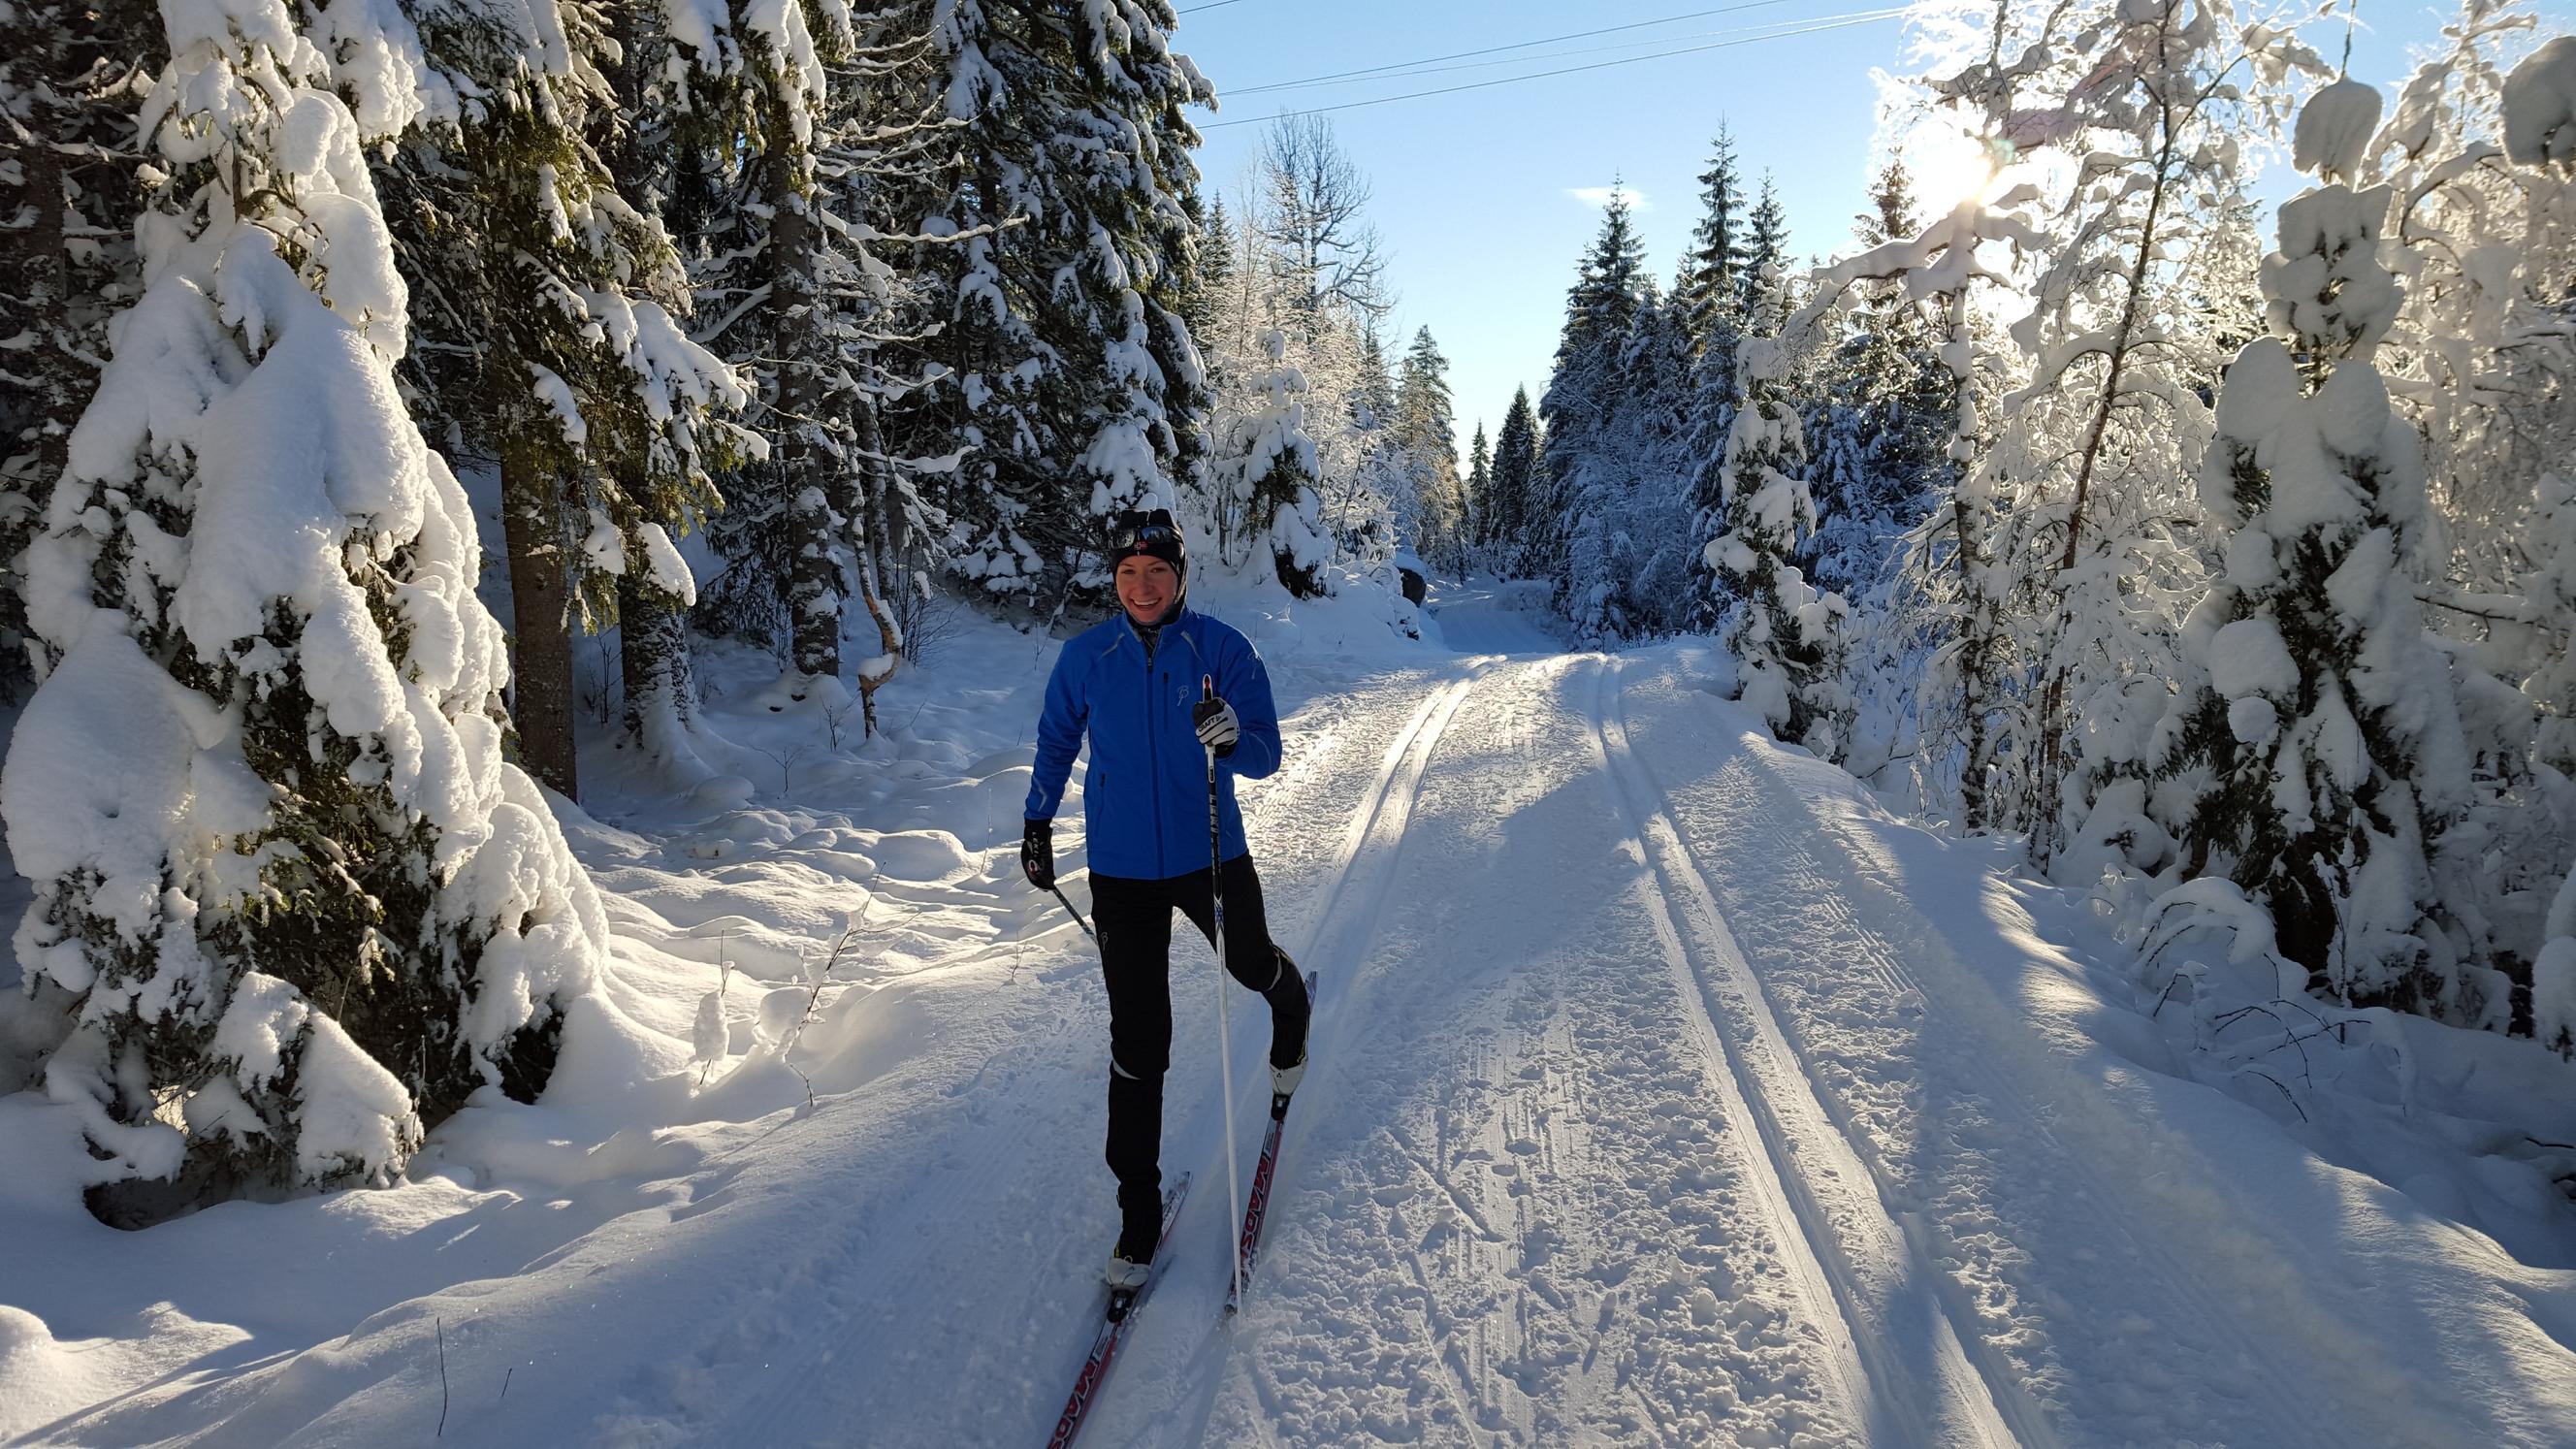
1859, 1254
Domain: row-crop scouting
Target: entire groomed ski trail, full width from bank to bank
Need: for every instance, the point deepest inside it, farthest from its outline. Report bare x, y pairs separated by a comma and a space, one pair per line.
1647, 1107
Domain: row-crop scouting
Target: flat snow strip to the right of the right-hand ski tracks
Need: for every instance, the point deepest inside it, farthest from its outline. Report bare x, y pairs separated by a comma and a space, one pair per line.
2005, 1156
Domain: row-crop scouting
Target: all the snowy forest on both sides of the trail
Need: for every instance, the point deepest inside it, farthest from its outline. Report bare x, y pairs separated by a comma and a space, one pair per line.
2217, 545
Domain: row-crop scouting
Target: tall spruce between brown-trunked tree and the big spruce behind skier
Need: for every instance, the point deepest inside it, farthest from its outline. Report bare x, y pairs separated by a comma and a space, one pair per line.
792, 153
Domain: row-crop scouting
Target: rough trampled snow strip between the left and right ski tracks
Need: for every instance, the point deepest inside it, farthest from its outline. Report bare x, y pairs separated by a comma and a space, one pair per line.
1513, 1213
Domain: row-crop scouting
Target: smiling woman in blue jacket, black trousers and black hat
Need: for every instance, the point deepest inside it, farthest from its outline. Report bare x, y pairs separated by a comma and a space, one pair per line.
1155, 687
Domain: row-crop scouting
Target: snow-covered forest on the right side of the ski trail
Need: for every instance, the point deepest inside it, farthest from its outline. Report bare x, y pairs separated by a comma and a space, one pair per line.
2209, 543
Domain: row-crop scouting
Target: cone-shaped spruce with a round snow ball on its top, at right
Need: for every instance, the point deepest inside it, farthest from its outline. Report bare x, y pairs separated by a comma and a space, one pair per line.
2317, 739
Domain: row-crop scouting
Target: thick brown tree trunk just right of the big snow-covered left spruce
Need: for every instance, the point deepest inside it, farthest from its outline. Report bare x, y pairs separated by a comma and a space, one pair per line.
542, 666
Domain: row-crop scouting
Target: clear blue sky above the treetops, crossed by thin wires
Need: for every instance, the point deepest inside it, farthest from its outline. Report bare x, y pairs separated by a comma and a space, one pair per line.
1477, 192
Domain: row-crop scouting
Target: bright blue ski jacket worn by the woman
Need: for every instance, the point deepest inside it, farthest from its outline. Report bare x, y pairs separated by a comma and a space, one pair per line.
1148, 795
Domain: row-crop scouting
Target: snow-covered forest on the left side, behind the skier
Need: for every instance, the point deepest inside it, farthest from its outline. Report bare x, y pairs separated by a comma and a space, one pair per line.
746, 318
